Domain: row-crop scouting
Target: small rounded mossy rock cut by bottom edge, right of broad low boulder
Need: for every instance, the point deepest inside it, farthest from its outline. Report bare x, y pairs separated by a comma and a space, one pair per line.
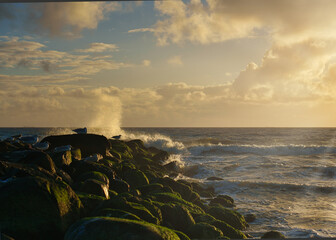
204, 230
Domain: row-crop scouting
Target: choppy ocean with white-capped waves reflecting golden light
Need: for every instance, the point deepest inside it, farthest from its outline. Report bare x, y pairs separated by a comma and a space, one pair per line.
284, 176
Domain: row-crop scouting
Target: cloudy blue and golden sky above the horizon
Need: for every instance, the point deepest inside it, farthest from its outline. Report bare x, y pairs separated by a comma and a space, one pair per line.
190, 63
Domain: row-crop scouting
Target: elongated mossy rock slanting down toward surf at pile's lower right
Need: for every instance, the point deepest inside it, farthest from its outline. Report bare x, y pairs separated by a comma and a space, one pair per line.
231, 217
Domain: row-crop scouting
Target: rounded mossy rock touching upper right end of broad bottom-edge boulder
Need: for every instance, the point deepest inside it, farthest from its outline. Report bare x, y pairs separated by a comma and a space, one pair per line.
176, 217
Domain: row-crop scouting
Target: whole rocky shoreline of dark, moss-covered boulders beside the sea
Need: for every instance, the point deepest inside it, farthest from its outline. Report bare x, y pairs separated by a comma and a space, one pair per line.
106, 189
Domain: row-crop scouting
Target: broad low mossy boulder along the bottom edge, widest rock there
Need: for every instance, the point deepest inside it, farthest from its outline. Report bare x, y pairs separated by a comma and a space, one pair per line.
105, 228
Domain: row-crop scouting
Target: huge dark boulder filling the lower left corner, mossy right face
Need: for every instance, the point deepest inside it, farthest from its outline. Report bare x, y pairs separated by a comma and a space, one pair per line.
37, 208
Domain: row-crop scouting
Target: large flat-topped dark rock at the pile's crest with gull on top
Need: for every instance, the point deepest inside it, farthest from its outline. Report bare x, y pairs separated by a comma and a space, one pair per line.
89, 144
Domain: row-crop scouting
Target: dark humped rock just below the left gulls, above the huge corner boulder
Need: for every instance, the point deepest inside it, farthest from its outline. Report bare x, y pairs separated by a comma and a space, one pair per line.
40, 159
